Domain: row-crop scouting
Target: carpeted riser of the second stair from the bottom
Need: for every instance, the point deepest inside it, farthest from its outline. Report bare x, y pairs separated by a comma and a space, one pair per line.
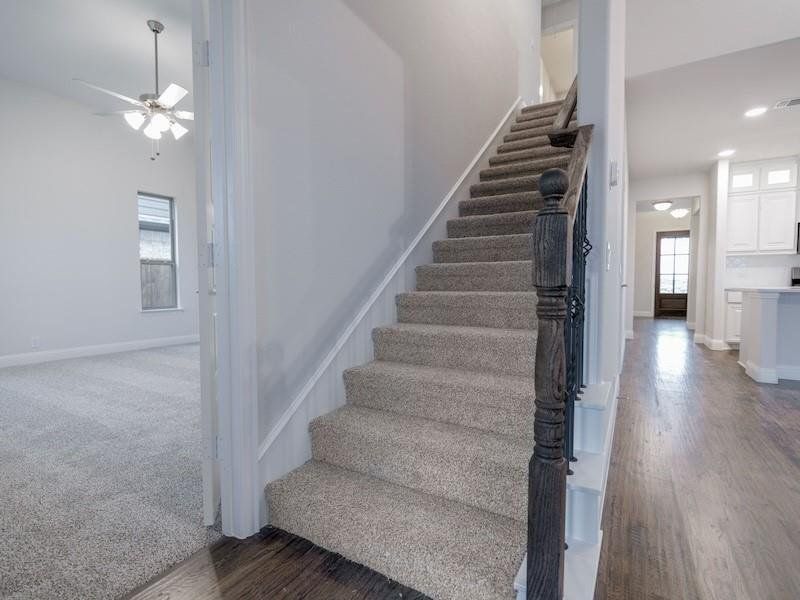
482, 484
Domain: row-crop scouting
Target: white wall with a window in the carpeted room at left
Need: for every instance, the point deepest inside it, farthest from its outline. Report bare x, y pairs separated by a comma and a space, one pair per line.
68, 226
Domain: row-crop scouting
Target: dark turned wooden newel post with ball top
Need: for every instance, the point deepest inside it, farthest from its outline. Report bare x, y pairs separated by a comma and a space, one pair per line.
547, 476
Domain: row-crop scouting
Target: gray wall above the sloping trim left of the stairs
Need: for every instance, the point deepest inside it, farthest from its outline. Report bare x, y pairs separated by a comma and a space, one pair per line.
364, 114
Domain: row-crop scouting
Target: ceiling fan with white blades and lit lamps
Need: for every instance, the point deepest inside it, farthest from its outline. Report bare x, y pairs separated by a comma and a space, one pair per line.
156, 110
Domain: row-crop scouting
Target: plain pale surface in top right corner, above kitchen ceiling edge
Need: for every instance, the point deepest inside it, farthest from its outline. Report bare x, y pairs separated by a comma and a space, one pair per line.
666, 33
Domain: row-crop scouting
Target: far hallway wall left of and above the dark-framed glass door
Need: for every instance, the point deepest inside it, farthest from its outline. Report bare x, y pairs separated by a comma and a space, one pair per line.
648, 224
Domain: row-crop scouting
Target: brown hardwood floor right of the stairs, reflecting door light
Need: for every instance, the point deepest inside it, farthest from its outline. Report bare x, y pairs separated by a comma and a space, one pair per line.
704, 491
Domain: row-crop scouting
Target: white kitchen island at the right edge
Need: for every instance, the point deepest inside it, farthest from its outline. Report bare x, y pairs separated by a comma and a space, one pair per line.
770, 340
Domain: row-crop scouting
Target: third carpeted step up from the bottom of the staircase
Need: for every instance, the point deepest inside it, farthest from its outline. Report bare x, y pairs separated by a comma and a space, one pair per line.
498, 403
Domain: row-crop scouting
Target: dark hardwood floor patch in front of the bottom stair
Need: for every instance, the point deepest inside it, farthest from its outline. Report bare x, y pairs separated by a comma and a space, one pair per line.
273, 564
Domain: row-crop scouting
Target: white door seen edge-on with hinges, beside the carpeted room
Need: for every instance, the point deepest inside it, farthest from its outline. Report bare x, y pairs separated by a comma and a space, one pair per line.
206, 279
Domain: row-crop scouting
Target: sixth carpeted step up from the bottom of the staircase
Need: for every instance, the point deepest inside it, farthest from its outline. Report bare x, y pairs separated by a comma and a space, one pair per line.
500, 276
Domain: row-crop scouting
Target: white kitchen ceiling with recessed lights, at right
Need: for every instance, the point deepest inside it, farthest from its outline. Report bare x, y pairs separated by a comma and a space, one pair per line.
678, 119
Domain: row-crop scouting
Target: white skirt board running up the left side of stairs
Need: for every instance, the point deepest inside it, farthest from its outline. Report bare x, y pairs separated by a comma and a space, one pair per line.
287, 445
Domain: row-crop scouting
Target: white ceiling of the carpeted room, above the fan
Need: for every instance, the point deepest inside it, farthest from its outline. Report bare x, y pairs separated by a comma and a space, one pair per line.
47, 43
